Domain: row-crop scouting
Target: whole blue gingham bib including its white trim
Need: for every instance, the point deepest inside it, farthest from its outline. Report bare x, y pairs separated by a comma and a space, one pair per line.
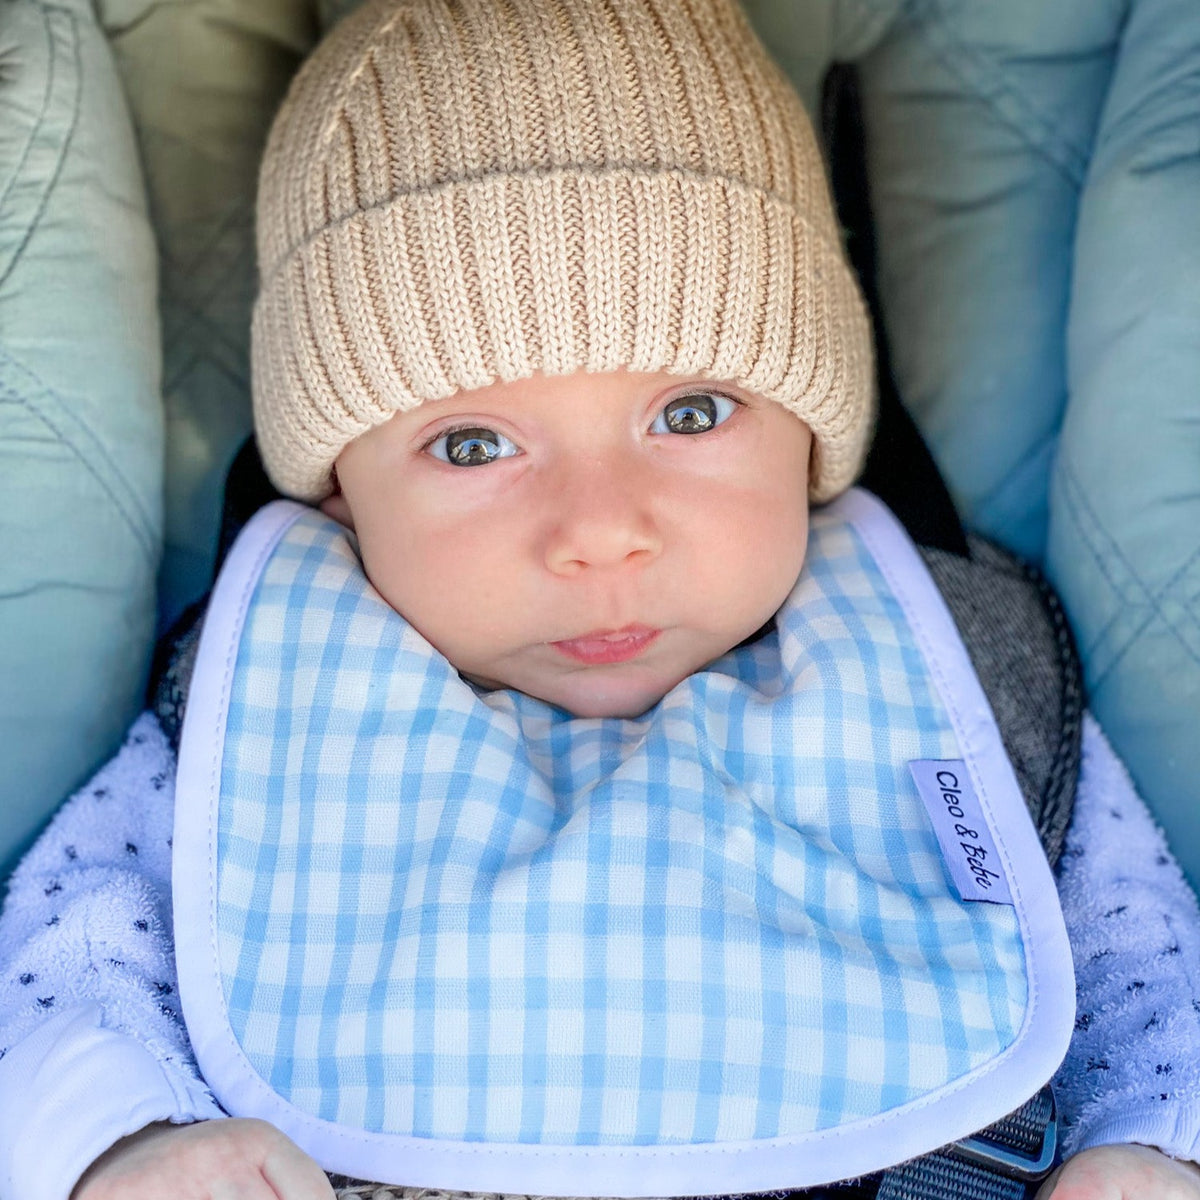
461, 939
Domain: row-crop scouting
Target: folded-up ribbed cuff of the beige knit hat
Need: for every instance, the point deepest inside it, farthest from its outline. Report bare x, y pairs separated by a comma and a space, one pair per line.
500, 278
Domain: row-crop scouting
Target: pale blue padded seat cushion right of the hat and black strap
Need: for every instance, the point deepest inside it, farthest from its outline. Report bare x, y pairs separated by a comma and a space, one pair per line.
1035, 179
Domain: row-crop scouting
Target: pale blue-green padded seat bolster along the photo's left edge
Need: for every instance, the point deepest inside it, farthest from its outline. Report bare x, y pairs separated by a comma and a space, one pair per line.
81, 424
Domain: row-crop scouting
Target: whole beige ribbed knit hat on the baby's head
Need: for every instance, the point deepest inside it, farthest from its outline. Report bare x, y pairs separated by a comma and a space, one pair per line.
458, 193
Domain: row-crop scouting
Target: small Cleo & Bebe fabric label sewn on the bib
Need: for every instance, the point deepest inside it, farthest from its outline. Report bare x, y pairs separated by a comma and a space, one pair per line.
963, 833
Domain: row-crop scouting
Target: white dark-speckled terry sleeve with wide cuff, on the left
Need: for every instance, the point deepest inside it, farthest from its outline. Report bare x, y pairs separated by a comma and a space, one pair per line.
92, 1042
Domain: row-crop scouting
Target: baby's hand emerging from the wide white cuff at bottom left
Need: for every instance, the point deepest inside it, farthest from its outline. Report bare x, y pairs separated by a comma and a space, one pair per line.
231, 1160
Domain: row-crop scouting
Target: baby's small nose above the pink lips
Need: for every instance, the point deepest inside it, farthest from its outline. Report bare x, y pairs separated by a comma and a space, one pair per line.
603, 517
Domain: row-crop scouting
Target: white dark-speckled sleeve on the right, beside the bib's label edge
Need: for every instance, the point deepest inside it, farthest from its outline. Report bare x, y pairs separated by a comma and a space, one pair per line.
1133, 1070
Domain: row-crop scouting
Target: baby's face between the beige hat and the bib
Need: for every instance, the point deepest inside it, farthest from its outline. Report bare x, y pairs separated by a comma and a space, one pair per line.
590, 541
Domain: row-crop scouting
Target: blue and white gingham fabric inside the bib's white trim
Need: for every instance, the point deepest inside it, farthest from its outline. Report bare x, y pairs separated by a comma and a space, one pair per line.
472, 917
